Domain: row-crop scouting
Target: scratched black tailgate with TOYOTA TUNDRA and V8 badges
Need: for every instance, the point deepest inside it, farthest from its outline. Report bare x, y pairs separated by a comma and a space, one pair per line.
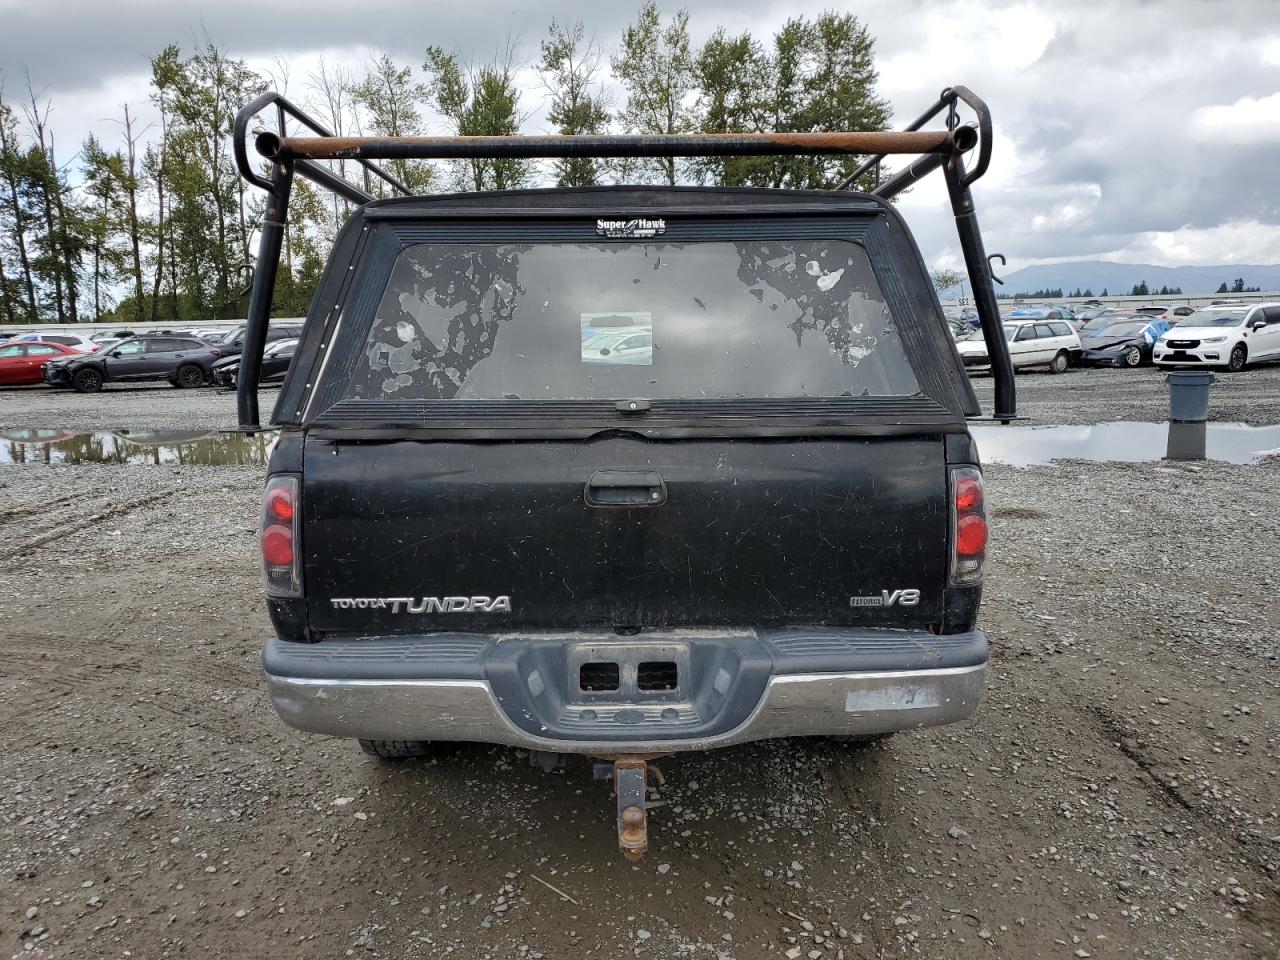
624, 533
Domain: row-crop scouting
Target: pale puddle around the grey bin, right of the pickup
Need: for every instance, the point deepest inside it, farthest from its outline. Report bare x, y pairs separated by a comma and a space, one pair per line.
1119, 442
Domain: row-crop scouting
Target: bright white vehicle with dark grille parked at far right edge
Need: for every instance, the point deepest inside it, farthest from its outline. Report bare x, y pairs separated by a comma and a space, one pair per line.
1226, 336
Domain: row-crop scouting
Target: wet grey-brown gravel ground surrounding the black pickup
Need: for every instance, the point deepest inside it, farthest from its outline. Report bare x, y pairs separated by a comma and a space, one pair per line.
1117, 794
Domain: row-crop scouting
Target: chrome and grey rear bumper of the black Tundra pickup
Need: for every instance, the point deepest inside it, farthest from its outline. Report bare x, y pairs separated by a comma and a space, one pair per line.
758, 687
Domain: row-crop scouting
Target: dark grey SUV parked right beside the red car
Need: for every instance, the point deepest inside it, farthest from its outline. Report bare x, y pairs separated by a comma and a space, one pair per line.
182, 362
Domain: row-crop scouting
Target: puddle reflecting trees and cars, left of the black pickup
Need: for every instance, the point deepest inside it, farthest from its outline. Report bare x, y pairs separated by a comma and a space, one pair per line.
141, 447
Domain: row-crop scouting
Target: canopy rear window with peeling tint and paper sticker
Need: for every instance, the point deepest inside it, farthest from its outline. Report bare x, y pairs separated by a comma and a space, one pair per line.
632, 321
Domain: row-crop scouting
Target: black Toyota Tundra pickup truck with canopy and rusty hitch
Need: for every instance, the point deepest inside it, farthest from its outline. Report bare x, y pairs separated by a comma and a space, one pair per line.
621, 472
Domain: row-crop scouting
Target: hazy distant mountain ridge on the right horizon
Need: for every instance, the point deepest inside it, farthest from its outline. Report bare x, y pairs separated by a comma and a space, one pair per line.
1118, 280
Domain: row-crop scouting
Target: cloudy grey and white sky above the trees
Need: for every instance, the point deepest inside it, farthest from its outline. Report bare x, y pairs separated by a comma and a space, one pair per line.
1145, 132
